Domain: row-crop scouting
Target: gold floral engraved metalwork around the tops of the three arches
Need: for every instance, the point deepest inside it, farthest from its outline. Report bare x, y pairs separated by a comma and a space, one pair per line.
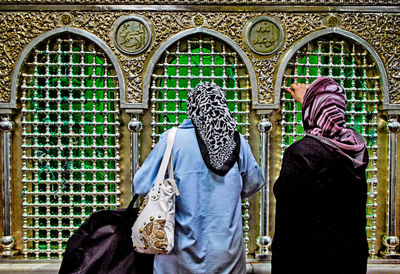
18, 29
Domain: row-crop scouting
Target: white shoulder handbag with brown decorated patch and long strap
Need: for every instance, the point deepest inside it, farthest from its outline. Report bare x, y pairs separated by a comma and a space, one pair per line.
153, 231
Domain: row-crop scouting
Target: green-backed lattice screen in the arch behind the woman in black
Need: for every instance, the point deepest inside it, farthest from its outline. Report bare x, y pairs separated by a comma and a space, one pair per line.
351, 66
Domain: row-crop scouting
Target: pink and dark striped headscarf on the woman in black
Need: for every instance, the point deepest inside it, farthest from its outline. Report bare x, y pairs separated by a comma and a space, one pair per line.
323, 110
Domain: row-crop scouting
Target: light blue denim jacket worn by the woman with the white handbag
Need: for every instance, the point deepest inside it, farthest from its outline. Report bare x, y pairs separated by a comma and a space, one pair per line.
208, 220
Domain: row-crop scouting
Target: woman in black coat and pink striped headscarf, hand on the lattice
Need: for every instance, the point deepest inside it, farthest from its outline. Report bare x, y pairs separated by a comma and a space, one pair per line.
321, 191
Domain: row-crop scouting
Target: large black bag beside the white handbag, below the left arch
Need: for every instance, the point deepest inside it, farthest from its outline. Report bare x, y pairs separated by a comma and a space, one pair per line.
103, 244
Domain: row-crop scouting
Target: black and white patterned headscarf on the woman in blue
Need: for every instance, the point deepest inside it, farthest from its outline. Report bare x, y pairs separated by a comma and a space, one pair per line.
216, 133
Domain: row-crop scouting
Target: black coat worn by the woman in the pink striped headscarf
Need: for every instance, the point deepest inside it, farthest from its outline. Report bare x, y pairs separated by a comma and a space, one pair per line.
320, 212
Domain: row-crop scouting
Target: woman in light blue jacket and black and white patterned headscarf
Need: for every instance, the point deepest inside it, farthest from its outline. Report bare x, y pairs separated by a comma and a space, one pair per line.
214, 169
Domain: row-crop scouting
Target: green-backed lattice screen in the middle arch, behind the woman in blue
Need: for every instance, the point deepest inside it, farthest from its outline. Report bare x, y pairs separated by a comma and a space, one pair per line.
182, 67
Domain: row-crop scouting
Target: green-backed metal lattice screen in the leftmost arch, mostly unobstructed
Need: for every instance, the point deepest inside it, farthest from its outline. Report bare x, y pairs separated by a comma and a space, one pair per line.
70, 106
